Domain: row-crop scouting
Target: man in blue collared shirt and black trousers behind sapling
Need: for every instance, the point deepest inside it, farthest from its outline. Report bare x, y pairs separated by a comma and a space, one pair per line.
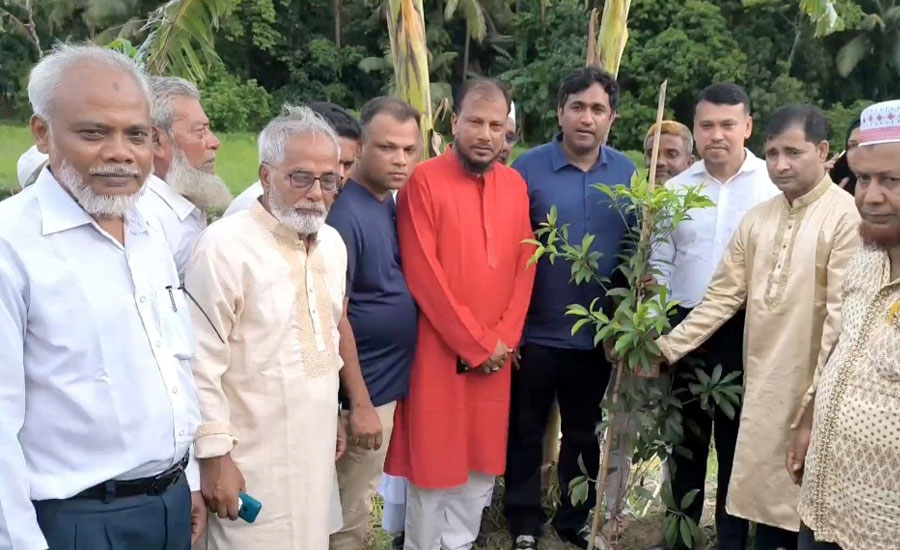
555, 364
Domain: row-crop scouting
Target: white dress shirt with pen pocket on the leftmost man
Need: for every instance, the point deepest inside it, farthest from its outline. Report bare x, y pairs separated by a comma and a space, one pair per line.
95, 360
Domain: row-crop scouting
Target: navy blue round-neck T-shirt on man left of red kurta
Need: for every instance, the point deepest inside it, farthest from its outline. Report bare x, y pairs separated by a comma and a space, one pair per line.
381, 309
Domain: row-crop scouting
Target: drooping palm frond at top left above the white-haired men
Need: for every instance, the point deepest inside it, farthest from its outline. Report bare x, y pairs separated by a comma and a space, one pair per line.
181, 37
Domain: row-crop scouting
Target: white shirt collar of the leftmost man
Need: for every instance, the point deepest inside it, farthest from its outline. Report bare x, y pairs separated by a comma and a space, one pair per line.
60, 212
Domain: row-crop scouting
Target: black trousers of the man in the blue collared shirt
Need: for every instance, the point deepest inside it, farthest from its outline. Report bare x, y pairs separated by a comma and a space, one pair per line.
577, 379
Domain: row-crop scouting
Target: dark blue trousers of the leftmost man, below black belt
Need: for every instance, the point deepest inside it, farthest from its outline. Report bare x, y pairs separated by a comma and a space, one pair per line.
133, 523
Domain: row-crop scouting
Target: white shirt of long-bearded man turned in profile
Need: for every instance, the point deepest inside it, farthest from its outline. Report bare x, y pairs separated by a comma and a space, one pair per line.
181, 221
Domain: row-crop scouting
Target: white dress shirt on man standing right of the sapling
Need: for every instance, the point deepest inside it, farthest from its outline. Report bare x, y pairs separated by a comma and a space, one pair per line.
695, 248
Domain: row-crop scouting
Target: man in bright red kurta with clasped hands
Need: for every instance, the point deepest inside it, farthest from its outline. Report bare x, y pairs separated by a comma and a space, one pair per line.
461, 221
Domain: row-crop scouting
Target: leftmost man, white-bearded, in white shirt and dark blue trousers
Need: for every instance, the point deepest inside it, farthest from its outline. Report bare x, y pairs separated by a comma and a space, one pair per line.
98, 407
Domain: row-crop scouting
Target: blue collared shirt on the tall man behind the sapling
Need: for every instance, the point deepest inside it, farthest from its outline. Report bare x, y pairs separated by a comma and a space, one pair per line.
553, 180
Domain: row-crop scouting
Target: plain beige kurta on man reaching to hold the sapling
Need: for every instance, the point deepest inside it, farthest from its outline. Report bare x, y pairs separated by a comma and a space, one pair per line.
786, 264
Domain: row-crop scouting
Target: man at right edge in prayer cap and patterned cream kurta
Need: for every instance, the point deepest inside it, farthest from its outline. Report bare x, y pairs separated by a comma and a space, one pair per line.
849, 421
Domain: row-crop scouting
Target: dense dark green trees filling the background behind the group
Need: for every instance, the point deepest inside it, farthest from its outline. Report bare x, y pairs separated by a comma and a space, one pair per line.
273, 51
